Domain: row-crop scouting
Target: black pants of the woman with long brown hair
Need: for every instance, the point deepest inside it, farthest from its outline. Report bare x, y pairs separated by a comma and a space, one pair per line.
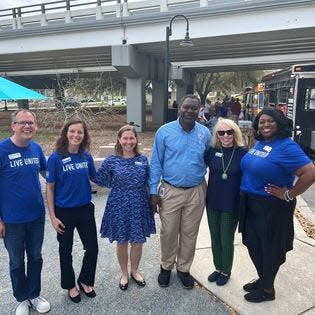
82, 218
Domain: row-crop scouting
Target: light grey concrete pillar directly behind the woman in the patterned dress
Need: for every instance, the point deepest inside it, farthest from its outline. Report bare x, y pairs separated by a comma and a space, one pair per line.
136, 102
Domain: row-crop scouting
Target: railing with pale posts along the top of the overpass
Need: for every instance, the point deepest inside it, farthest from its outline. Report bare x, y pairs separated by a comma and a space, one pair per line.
67, 11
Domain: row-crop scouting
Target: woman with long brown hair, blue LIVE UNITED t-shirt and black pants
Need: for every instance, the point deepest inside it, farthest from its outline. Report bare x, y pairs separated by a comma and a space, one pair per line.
68, 194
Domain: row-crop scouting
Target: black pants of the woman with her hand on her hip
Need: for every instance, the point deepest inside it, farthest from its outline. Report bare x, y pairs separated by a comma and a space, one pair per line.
268, 234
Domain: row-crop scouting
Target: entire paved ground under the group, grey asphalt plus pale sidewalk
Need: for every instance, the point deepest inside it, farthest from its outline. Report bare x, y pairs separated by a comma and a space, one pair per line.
295, 284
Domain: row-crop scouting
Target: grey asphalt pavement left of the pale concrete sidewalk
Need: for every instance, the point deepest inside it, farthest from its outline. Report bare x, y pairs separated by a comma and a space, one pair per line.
110, 299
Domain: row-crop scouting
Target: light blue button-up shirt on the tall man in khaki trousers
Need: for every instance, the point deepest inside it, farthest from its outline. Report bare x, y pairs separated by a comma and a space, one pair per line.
178, 156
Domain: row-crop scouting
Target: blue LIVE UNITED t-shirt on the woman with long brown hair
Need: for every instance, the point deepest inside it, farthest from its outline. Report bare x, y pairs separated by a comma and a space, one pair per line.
71, 175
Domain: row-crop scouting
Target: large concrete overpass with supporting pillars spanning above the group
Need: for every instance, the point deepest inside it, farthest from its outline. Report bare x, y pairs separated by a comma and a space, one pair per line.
129, 37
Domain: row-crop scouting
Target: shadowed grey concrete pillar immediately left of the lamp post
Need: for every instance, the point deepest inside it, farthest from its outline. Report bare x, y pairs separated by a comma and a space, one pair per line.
157, 102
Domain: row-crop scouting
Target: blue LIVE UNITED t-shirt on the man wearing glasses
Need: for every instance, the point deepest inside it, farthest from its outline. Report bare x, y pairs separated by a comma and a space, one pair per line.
20, 194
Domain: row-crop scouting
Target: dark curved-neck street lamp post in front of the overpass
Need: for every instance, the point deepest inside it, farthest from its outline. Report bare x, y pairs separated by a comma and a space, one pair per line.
185, 42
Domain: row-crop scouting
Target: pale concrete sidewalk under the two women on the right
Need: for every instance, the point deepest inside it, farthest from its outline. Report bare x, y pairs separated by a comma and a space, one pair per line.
295, 283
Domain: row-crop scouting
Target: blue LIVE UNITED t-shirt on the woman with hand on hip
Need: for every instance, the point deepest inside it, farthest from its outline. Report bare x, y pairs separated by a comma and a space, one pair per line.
271, 162
